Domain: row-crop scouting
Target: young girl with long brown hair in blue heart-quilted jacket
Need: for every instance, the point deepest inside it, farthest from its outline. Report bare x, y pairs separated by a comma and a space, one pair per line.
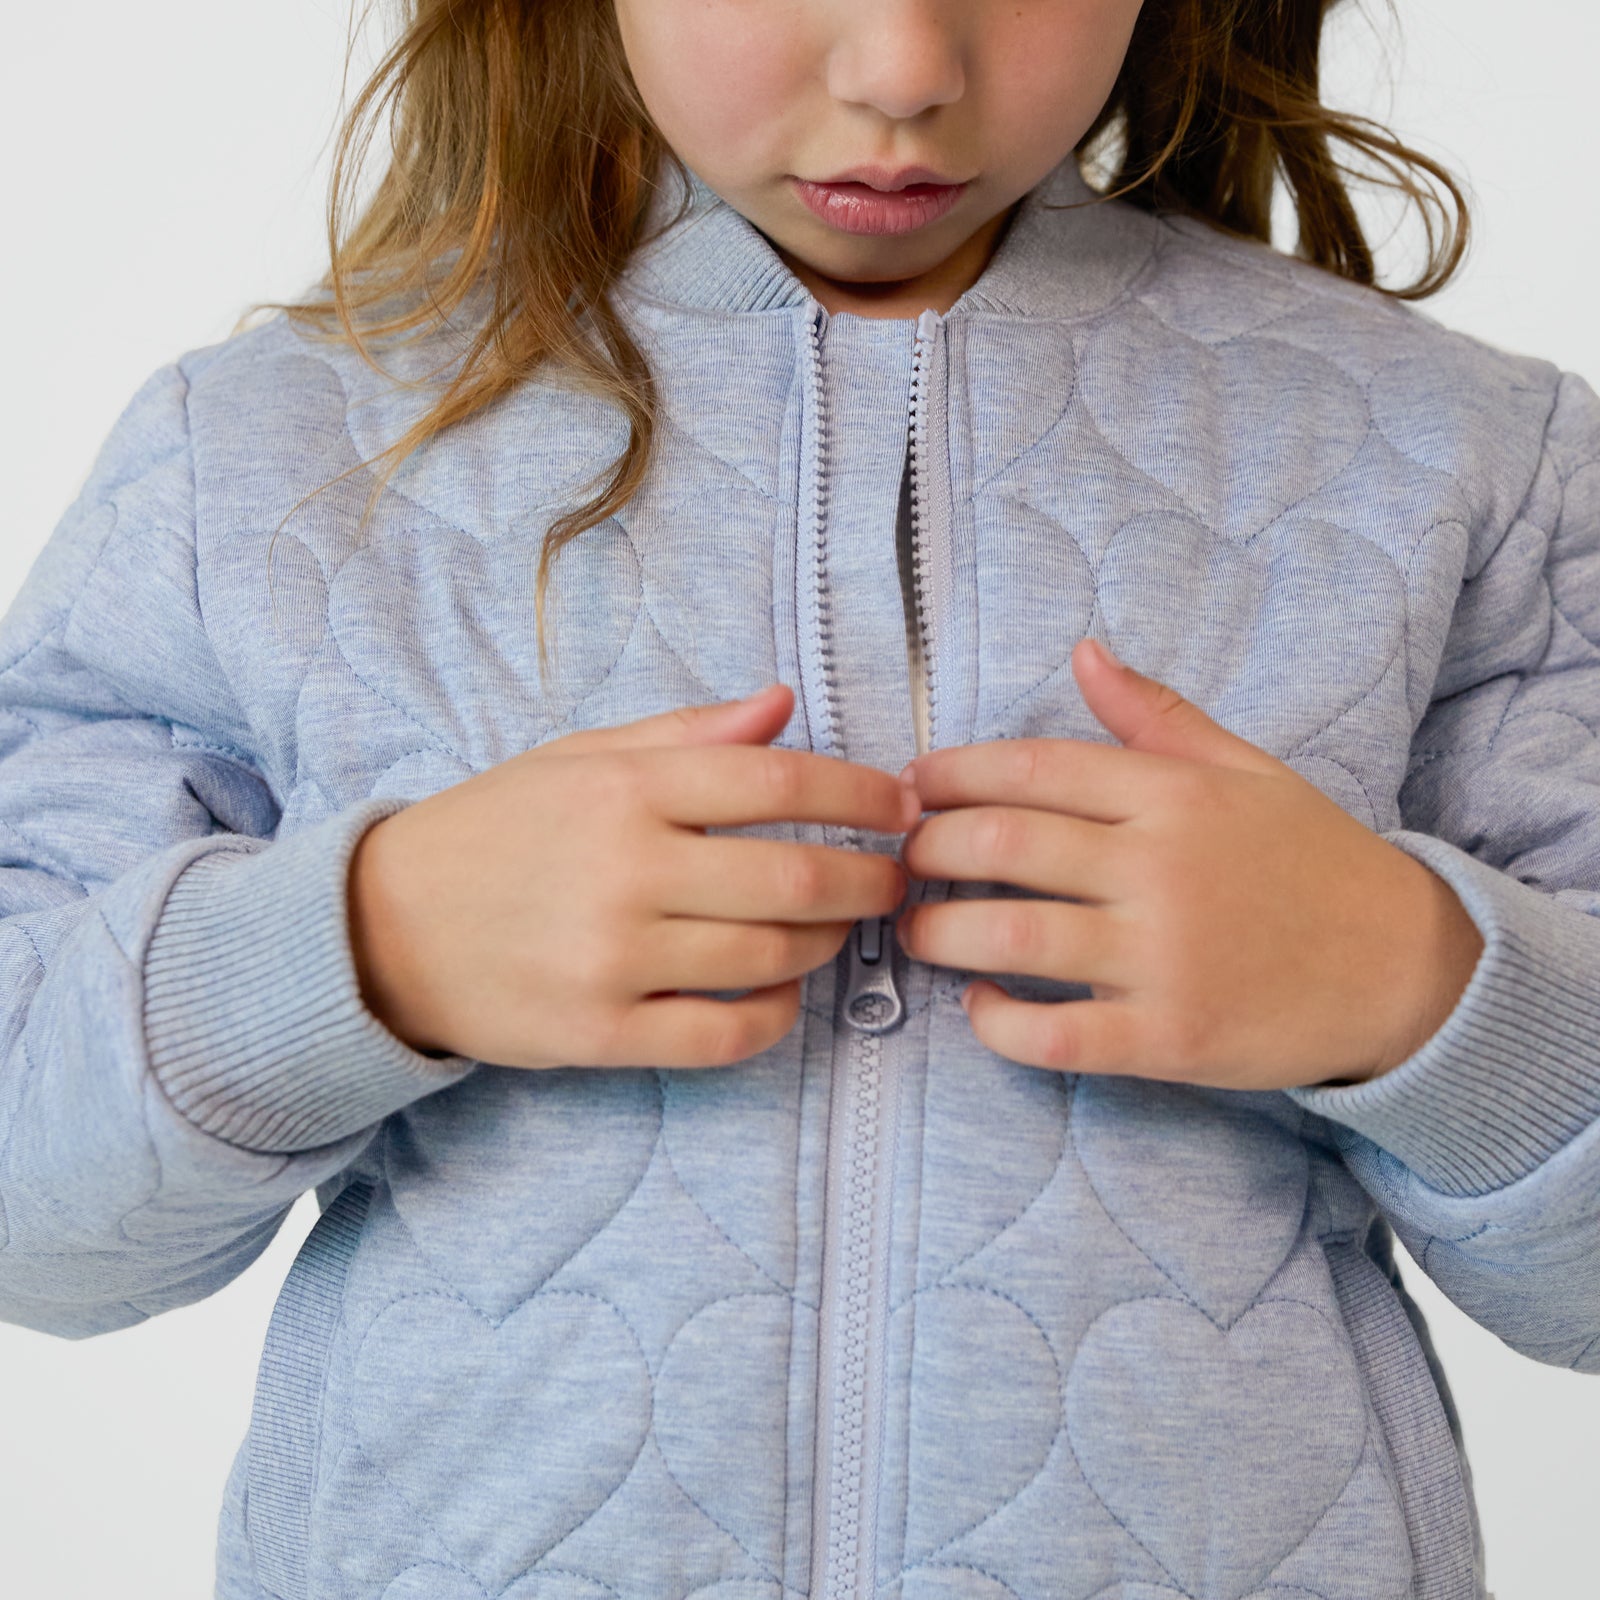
823, 1082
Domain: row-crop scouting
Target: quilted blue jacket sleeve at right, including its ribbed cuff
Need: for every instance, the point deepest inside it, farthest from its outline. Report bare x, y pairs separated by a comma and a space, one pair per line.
1484, 1148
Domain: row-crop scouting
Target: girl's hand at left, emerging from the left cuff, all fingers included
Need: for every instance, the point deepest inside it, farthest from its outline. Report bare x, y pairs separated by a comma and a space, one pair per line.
546, 913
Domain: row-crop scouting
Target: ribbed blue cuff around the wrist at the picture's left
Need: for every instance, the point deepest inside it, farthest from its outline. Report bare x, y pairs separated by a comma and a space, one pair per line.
254, 1014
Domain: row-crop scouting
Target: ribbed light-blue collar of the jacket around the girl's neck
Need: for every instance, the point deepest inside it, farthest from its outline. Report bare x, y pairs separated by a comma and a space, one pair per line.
1065, 255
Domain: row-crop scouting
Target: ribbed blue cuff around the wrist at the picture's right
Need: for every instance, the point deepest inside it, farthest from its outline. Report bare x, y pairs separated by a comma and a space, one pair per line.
1514, 1073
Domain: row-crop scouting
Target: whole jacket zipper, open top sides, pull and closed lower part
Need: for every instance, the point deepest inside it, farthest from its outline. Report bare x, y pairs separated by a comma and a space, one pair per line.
865, 1103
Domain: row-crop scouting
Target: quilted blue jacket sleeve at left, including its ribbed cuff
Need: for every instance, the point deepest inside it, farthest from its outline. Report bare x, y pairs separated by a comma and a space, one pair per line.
183, 1044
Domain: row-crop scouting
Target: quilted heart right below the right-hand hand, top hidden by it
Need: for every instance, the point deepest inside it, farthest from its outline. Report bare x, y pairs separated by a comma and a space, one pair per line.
1210, 1193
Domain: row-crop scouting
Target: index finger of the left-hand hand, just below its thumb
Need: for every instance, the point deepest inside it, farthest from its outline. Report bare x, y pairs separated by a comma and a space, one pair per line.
732, 785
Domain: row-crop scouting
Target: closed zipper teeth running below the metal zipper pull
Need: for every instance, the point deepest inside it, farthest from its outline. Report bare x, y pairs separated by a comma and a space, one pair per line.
847, 1465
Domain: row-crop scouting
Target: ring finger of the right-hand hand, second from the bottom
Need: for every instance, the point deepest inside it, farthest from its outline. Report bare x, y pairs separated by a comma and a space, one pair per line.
1041, 938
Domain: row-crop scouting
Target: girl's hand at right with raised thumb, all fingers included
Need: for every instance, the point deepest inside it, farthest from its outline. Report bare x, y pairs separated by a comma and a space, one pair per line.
1239, 929
